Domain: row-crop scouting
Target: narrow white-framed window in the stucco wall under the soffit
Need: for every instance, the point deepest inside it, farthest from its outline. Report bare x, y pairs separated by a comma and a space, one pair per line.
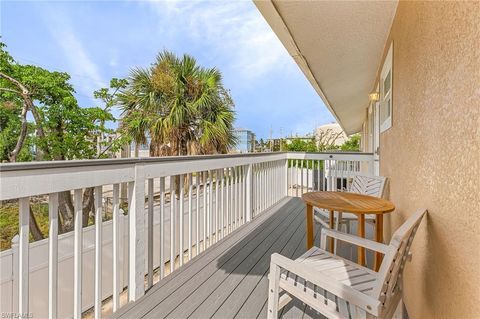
386, 92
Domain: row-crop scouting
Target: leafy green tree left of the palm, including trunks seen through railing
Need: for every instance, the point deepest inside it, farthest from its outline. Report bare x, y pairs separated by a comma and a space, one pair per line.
63, 129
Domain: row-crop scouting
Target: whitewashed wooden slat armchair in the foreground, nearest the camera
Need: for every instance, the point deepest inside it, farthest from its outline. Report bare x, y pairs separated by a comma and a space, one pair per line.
339, 288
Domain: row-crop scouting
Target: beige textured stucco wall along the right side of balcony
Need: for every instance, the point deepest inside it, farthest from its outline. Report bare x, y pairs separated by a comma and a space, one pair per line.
432, 153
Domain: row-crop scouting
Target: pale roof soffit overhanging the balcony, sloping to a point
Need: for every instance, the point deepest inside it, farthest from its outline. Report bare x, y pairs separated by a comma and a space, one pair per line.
338, 45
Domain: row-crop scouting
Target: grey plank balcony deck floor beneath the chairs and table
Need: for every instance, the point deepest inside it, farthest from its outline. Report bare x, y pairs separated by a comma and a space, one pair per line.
230, 280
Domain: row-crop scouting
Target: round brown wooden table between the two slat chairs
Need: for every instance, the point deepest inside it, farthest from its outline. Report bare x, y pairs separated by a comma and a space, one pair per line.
345, 202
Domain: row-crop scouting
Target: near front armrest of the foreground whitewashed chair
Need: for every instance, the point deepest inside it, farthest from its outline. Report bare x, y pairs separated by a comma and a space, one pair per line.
337, 288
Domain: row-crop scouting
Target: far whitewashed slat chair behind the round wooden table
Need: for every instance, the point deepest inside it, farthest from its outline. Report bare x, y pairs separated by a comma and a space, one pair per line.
361, 184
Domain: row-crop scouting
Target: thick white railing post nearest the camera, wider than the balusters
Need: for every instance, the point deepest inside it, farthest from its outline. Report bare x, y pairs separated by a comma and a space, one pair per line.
136, 219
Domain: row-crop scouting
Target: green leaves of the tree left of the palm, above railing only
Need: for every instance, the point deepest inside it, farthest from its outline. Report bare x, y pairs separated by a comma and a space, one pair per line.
70, 130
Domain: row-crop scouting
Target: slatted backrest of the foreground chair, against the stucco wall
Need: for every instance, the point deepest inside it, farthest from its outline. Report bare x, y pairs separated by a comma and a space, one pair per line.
391, 271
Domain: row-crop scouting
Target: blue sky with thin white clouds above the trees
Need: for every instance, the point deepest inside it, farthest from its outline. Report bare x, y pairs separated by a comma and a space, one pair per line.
96, 40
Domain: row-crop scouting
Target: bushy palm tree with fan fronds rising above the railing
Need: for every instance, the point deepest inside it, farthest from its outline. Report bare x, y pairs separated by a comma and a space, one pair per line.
183, 107
